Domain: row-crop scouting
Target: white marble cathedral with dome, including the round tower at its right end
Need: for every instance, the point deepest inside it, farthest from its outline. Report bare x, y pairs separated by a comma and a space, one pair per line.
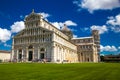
40, 40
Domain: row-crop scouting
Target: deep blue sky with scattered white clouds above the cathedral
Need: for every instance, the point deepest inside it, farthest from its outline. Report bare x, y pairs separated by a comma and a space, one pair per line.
81, 16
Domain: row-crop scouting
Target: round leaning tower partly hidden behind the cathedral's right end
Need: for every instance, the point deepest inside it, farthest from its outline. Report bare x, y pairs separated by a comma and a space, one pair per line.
96, 36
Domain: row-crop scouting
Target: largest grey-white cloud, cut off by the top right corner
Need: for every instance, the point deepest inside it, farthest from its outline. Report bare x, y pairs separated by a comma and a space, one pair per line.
92, 5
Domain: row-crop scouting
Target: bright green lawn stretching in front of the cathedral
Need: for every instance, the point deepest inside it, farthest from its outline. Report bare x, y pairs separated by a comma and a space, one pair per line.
81, 71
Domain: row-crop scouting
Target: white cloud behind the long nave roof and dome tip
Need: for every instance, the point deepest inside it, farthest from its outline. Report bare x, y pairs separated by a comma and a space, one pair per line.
60, 24
